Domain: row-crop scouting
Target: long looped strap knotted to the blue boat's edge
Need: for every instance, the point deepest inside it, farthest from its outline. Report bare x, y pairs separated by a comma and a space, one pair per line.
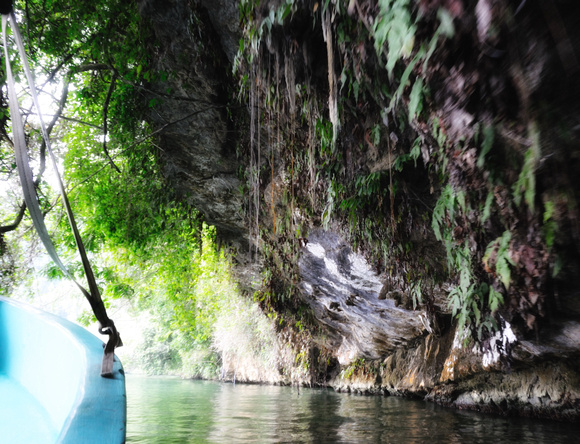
107, 326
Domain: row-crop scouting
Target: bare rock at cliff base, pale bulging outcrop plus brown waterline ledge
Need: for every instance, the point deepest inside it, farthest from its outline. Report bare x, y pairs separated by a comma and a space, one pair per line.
387, 349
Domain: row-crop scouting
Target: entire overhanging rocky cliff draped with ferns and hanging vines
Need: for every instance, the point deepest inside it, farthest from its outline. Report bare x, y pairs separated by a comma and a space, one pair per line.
390, 196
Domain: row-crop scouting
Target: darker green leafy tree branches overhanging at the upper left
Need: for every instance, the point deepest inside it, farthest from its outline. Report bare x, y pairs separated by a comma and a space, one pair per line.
98, 50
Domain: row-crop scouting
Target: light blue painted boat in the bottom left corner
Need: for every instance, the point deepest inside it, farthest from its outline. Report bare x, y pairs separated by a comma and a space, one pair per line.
51, 390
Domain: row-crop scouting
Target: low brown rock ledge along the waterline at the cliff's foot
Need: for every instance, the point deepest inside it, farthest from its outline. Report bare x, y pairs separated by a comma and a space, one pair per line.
437, 369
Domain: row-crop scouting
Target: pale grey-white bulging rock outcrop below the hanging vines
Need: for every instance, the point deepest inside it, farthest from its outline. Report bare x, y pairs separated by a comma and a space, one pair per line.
344, 293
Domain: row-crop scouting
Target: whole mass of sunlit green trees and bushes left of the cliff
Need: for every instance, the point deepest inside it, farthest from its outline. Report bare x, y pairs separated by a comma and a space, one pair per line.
149, 246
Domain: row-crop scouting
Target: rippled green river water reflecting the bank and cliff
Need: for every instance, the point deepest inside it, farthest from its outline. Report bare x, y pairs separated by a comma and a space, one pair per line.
163, 410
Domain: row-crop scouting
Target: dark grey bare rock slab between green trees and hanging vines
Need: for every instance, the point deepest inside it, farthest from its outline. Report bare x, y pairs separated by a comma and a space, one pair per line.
195, 135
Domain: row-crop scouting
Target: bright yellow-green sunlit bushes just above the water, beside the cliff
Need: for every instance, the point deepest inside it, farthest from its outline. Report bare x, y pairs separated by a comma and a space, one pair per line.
185, 282
